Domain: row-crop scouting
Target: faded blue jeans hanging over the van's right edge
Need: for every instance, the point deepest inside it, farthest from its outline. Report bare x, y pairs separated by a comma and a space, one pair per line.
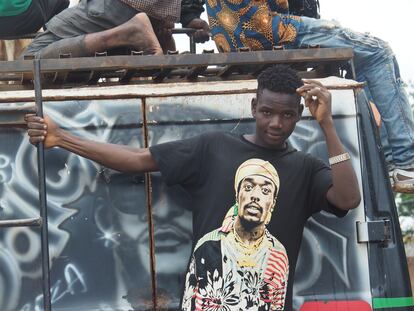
375, 63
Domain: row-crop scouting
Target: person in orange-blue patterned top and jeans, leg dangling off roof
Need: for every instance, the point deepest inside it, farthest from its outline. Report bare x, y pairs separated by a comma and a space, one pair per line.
260, 25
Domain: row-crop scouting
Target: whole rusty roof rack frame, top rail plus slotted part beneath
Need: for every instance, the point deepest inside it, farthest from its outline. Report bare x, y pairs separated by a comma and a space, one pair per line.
139, 68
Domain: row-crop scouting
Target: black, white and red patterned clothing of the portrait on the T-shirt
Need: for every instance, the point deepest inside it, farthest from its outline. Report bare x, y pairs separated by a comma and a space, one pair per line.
217, 279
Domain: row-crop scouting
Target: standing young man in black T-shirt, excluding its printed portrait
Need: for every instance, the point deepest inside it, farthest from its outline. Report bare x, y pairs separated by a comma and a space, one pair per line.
205, 165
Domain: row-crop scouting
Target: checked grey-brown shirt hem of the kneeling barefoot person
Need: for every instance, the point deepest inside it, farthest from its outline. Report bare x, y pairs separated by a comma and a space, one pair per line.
167, 10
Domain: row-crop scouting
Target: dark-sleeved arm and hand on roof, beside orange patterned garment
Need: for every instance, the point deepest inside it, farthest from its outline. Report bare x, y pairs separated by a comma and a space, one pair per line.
190, 18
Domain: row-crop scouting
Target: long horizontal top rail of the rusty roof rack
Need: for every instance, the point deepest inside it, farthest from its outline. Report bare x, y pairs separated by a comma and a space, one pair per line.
182, 60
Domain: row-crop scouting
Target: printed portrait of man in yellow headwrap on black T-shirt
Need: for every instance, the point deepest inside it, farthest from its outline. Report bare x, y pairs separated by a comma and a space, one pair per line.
241, 266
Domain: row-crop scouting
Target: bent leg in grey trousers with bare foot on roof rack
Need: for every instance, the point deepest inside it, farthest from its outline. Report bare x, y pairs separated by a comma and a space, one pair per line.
101, 25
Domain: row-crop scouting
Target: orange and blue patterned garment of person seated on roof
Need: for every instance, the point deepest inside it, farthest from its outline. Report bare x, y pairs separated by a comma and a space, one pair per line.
257, 24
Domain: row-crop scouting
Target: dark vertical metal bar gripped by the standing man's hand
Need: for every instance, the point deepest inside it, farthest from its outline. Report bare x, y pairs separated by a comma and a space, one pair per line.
47, 304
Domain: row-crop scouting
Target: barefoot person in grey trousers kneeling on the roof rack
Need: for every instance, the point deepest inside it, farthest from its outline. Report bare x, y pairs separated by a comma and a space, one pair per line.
98, 26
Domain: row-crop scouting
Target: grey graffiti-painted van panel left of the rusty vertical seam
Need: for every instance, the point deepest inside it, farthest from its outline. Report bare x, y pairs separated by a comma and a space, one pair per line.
95, 262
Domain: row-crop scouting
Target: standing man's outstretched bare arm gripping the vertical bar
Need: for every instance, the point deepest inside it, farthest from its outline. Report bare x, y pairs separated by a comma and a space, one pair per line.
117, 157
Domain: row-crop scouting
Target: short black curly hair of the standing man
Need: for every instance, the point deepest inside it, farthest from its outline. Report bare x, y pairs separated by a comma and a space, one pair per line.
279, 79
